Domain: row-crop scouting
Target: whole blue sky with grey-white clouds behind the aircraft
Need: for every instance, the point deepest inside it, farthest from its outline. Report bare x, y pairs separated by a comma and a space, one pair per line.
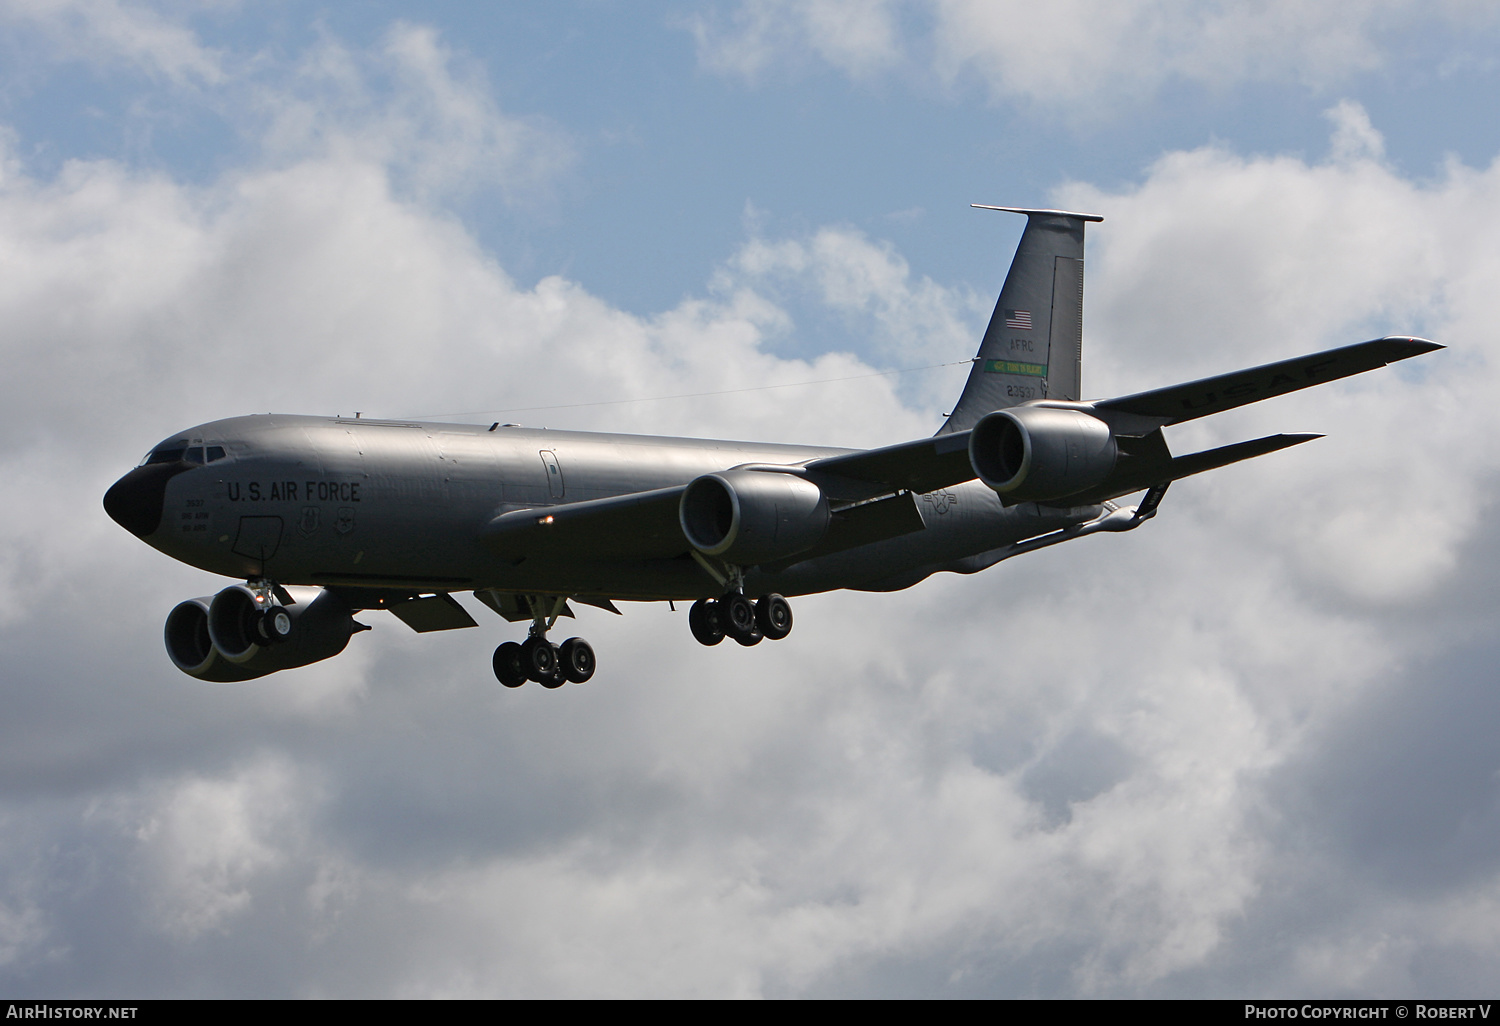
1249, 749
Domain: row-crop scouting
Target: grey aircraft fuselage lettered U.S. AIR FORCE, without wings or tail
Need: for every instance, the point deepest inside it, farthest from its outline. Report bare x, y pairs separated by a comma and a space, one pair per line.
403, 505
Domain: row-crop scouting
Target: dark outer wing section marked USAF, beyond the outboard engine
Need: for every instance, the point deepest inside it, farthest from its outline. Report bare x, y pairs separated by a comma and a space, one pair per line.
1195, 400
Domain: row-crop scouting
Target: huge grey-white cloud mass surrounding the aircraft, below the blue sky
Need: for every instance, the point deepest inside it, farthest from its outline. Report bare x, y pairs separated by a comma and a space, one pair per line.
1055, 778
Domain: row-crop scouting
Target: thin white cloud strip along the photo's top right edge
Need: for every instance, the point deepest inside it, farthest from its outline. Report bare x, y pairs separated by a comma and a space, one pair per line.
1081, 55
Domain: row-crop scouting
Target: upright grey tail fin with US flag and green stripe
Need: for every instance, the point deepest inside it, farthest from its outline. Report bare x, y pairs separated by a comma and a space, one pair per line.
1034, 346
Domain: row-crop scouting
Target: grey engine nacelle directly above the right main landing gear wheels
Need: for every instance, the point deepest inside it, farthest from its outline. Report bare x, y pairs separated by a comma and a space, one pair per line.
754, 517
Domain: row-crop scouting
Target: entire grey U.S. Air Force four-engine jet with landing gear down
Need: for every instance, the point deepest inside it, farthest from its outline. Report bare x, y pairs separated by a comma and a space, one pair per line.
326, 517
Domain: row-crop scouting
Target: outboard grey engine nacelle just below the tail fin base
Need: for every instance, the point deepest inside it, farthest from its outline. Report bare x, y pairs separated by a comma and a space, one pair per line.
1040, 454
